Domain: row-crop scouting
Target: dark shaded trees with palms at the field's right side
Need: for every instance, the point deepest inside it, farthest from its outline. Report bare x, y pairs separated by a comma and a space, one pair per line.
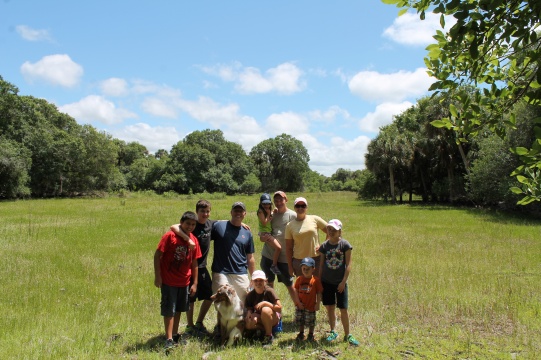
414, 158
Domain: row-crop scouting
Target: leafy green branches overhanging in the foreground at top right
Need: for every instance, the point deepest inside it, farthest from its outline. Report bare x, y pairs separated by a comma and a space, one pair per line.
495, 49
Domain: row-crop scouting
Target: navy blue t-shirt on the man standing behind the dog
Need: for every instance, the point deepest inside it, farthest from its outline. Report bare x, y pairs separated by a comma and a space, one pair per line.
232, 244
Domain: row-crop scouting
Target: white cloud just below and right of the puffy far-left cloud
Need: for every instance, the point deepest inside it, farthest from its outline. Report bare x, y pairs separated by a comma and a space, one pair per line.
96, 108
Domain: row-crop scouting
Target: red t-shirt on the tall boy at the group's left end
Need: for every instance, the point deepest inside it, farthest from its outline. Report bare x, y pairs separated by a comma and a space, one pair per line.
176, 260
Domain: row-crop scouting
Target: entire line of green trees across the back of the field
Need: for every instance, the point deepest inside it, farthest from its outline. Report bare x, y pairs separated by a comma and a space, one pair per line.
45, 153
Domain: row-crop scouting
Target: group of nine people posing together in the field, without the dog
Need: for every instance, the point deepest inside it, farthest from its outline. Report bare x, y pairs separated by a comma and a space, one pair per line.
292, 254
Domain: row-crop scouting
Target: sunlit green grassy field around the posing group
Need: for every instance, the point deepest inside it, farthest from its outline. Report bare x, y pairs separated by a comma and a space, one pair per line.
428, 282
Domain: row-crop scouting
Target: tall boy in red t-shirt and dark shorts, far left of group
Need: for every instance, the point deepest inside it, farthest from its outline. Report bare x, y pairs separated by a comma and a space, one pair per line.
175, 262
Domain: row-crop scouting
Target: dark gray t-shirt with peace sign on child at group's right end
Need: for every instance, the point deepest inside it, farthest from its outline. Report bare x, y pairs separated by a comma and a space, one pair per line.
334, 265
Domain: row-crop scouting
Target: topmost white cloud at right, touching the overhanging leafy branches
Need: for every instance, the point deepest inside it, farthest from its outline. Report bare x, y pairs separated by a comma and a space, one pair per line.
409, 29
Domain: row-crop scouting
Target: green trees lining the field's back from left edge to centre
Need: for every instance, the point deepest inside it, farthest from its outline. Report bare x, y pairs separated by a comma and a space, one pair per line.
45, 153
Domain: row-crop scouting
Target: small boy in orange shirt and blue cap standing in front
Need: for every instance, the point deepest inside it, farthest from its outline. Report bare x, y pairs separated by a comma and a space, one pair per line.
309, 289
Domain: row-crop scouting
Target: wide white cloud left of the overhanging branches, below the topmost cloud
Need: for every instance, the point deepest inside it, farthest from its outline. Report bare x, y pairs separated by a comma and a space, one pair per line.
374, 86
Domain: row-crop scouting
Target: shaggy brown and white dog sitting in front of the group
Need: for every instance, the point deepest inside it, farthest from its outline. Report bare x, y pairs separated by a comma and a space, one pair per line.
230, 314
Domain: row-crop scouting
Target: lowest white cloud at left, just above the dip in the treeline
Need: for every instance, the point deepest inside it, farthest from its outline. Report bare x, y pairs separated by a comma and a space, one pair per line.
154, 138
